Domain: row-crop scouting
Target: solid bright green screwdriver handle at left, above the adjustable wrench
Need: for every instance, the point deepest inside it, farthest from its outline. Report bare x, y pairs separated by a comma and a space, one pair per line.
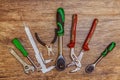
19, 46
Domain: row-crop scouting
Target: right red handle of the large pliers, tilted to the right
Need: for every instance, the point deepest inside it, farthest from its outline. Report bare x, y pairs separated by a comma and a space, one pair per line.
85, 45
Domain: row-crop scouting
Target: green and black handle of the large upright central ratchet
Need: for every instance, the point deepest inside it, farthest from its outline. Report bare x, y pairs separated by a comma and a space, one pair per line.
60, 21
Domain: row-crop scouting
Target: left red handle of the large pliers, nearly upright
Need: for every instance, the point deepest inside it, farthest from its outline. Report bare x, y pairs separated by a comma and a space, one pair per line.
73, 32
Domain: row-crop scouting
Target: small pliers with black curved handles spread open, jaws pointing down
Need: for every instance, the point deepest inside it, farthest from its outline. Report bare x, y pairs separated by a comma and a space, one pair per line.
49, 47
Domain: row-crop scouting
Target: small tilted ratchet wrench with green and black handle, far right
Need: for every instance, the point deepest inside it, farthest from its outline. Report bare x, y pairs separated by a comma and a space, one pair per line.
91, 67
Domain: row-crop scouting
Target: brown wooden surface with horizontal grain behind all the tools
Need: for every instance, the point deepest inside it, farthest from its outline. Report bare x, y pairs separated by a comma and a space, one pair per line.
40, 15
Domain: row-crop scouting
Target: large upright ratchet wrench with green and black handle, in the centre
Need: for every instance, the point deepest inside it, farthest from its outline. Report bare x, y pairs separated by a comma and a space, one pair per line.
60, 63
